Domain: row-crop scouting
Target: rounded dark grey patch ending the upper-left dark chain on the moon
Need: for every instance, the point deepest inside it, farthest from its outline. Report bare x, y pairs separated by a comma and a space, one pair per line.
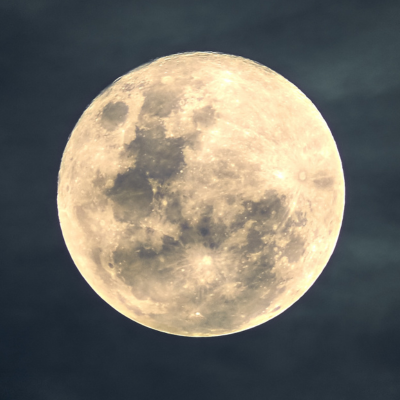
132, 195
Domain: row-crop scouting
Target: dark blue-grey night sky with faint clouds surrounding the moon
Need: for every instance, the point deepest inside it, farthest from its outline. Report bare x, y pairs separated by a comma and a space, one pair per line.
60, 341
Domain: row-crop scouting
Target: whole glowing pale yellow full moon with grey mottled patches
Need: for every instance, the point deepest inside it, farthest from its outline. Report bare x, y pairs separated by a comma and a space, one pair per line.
201, 194
